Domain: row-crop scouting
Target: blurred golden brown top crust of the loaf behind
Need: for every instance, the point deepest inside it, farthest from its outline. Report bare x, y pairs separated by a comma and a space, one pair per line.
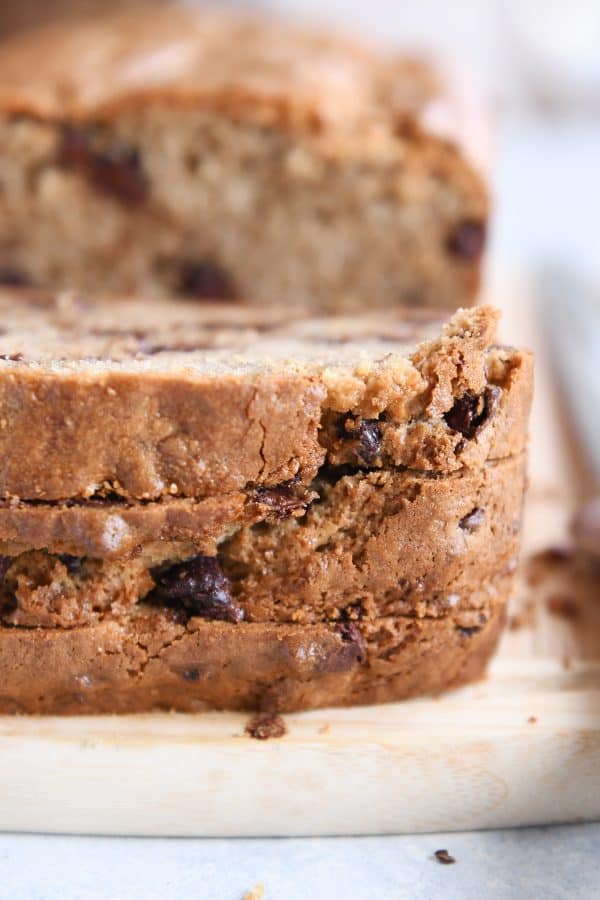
254, 67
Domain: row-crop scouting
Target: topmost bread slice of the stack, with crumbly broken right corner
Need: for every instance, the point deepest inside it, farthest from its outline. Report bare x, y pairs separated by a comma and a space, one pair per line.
150, 399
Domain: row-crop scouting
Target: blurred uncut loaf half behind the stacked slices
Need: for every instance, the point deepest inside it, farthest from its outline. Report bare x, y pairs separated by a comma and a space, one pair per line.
206, 154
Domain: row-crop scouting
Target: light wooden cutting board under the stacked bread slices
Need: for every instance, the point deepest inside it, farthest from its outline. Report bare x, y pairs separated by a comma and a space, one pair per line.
521, 747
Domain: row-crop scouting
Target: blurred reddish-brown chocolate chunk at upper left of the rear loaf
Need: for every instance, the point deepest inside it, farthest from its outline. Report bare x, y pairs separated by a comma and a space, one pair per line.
115, 170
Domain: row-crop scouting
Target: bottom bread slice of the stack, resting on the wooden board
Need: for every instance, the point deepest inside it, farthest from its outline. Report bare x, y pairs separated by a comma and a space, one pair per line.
152, 662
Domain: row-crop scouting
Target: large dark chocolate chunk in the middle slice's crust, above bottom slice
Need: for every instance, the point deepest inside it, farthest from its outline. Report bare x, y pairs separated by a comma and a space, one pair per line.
197, 586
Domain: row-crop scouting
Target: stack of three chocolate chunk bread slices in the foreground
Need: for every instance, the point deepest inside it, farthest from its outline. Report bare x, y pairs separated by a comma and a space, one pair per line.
207, 506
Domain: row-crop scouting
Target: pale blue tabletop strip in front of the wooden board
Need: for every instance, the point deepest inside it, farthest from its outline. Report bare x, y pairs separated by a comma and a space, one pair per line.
529, 864
